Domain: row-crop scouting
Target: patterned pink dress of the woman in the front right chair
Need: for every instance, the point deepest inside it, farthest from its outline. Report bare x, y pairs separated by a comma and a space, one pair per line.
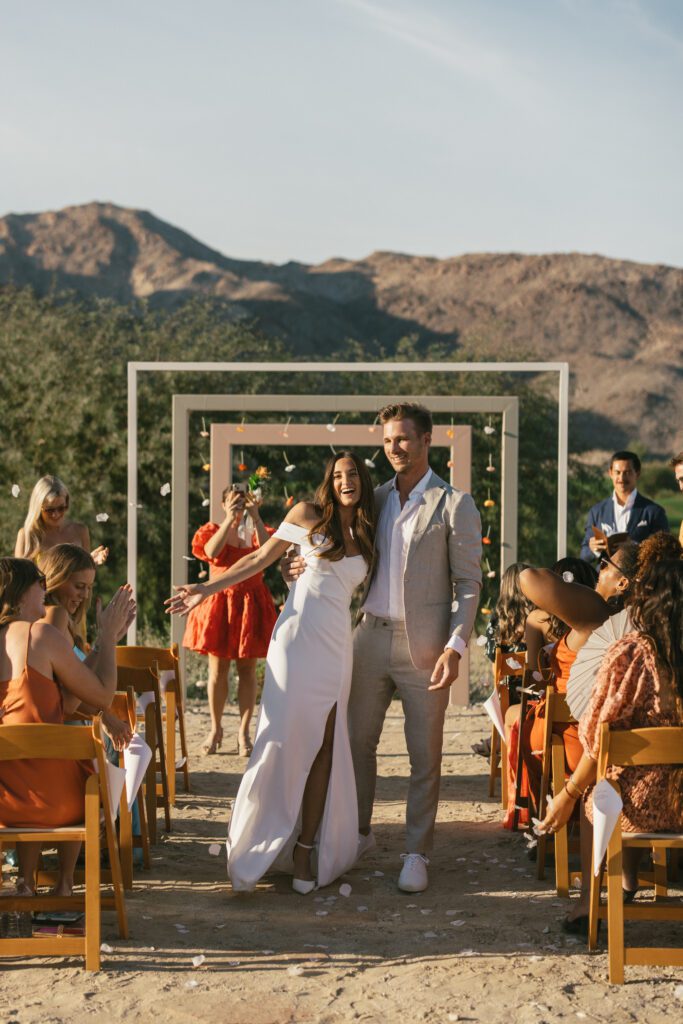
627, 695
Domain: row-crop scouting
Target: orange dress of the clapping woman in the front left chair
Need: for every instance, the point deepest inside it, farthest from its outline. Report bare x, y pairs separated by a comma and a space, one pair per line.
37, 794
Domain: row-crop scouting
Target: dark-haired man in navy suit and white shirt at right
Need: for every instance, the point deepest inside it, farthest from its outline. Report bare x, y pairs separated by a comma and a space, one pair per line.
626, 511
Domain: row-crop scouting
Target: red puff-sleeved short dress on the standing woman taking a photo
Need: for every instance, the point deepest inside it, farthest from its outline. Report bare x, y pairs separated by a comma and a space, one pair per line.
235, 623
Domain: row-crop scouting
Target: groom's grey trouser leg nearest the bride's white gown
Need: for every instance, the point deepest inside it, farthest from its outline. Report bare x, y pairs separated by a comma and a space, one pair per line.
372, 690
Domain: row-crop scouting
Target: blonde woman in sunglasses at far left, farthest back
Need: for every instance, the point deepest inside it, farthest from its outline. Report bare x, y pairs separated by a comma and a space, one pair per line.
48, 524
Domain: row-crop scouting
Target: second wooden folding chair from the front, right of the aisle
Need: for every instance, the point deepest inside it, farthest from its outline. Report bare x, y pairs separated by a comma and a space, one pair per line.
558, 712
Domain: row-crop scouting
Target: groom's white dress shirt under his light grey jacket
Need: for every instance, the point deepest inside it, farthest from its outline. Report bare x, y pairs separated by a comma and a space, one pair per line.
386, 599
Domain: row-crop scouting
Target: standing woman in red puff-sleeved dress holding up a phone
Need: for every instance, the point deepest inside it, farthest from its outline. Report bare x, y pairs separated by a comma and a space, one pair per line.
235, 624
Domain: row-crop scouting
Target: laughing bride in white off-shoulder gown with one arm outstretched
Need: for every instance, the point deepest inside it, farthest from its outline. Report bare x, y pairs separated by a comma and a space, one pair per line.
298, 794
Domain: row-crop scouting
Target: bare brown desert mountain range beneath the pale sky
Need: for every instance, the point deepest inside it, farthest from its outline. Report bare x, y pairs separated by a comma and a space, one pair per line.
619, 324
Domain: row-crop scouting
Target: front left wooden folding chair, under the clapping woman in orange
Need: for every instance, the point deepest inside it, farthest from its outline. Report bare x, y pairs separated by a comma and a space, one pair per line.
69, 744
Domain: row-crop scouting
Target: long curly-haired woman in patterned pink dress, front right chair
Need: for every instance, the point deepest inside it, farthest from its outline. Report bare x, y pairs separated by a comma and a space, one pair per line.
639, 686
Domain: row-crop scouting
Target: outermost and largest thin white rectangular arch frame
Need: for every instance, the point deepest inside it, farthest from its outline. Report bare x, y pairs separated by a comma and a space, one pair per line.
136, 368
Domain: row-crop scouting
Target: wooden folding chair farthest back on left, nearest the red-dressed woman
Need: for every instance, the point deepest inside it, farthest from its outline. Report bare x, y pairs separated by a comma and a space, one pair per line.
167, 661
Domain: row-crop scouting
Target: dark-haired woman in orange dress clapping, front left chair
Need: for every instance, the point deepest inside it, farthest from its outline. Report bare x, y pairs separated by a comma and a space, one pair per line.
37, 664
